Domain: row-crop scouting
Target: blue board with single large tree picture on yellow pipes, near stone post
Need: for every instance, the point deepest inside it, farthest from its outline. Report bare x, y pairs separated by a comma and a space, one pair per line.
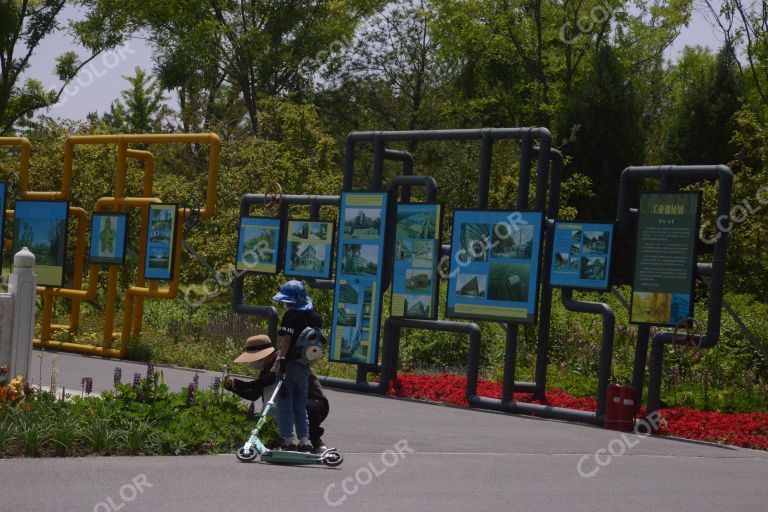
41, 226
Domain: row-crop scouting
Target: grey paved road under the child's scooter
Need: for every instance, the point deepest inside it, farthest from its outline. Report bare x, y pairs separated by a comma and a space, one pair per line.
462, 460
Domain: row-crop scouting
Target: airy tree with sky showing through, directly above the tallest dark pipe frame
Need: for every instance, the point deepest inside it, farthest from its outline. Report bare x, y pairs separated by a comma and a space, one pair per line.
392, 76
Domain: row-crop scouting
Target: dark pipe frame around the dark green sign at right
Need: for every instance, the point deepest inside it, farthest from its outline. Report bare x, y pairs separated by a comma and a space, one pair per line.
715, 270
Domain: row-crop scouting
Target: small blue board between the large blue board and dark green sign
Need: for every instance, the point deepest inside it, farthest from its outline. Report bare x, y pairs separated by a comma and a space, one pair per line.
581, 256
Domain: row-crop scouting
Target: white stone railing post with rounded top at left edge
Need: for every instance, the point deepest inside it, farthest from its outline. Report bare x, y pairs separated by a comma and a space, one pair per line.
17, 316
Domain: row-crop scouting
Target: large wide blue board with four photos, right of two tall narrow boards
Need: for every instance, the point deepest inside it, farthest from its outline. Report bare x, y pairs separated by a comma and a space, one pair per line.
495, 264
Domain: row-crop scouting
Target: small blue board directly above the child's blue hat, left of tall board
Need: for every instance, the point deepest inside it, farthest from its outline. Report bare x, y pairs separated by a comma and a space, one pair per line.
309, 249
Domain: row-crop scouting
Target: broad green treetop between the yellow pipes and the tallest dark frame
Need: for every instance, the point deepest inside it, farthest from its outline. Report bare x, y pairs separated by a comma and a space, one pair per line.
260, 48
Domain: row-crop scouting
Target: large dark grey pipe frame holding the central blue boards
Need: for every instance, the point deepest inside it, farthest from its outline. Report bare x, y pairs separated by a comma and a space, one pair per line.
393, 326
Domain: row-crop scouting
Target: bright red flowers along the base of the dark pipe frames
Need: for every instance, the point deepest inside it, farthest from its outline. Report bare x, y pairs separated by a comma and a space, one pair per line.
749, 430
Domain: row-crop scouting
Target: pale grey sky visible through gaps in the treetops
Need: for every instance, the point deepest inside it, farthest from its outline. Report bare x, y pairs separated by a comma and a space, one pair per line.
100, 83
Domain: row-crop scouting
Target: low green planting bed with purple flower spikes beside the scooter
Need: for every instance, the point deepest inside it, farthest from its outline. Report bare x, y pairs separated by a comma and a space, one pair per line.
143, 419
